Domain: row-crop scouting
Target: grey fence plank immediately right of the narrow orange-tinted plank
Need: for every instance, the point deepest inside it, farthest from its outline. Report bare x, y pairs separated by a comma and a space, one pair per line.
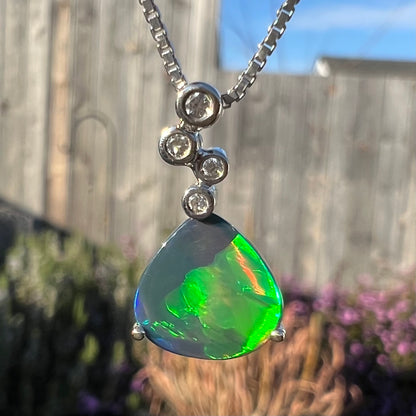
85, 128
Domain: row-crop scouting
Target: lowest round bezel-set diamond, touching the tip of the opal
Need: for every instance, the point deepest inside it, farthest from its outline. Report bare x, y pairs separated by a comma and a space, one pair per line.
198, 201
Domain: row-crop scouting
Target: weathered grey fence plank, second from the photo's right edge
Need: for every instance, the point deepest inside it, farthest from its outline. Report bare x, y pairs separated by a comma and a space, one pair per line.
361, 174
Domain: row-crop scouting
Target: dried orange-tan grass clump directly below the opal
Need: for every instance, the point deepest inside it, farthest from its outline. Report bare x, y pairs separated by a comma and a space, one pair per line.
298, 377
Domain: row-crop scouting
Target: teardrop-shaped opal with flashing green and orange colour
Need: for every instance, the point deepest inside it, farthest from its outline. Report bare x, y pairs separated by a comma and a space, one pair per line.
207, 293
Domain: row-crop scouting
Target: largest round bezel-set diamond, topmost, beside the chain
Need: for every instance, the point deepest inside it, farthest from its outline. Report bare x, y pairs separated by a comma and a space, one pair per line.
199, 105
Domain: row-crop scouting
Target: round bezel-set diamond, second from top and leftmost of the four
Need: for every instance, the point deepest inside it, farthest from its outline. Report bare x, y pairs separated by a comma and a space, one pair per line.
178, 146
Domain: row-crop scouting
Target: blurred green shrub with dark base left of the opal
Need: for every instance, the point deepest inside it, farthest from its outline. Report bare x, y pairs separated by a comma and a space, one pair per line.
65, 316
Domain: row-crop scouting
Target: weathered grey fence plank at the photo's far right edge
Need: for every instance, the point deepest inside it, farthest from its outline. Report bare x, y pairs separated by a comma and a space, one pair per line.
395, 176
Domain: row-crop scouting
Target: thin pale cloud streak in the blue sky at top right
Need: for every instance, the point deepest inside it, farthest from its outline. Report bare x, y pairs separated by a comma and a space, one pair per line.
356, 17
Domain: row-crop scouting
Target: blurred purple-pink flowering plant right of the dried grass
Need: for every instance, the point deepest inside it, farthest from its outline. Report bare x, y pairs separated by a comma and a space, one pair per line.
378, 328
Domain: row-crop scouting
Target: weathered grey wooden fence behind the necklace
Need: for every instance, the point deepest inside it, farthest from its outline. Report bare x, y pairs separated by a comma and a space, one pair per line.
323, 170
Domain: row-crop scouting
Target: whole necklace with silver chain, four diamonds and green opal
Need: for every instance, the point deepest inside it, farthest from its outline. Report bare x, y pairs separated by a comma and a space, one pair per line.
207, 293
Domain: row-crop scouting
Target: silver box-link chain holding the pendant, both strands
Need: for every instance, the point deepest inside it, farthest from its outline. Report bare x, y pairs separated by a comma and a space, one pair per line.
246, 78
